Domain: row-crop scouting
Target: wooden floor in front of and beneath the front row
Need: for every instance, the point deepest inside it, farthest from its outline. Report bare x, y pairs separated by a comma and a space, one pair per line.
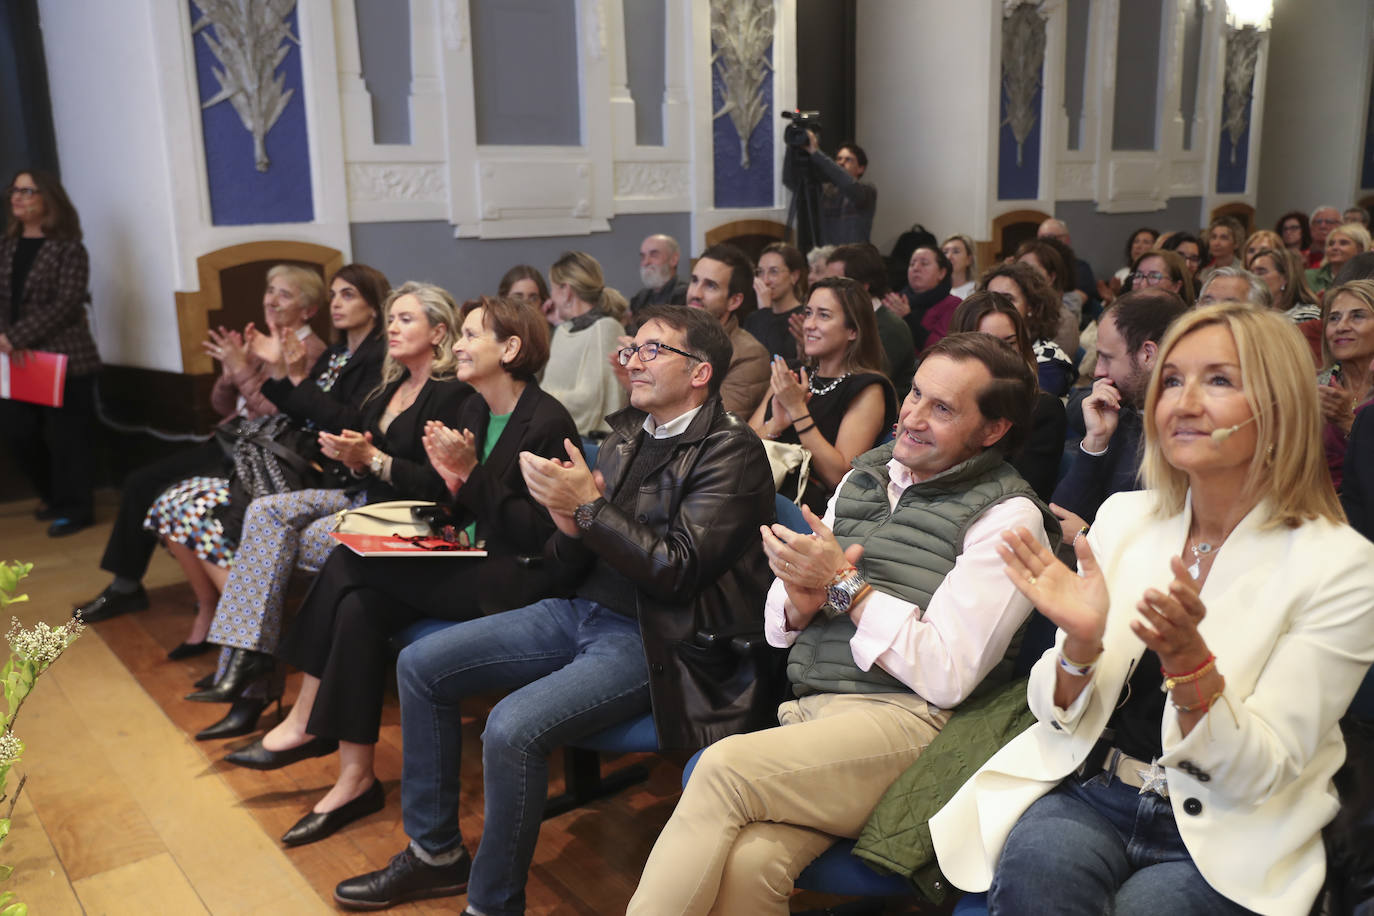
124, 812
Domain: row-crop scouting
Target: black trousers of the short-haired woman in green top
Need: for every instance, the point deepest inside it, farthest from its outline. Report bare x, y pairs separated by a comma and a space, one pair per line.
344, 628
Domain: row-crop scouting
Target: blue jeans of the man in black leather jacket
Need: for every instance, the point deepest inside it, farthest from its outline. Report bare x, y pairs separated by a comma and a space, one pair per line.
574, 668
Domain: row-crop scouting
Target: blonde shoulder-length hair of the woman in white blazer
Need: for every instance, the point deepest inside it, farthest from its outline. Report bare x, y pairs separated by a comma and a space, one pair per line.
1288, 469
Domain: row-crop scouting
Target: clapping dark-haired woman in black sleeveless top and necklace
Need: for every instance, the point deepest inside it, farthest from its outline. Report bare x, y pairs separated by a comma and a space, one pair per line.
843, 404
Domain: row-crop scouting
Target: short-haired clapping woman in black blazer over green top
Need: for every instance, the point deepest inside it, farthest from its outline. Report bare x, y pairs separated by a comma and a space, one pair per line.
341, 635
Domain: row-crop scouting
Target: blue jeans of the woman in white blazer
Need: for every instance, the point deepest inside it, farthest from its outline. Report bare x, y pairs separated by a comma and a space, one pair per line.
1094, 848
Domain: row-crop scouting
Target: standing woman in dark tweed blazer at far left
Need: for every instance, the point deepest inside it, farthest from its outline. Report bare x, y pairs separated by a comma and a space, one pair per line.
45, 274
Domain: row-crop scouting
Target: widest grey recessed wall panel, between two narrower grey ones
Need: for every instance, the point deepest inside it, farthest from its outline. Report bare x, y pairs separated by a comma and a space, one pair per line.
526, 72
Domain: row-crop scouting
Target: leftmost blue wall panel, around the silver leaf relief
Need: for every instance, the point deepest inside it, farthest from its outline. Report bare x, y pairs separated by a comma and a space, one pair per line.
240, 194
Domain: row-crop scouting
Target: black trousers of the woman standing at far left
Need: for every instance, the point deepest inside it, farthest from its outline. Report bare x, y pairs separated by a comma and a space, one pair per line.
54, 447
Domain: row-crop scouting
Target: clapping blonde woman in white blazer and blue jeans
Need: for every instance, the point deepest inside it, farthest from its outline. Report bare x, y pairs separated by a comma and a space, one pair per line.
1222, 623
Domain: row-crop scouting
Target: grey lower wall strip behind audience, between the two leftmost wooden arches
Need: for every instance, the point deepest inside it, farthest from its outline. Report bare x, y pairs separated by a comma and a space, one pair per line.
471, 267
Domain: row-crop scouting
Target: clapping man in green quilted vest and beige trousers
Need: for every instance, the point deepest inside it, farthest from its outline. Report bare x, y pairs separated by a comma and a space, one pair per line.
894, 612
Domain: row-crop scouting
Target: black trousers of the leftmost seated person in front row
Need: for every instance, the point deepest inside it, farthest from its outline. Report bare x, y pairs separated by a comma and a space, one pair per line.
131, 547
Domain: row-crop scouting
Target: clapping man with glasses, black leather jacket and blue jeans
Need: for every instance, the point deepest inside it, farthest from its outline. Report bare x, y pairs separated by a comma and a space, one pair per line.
662, 545
